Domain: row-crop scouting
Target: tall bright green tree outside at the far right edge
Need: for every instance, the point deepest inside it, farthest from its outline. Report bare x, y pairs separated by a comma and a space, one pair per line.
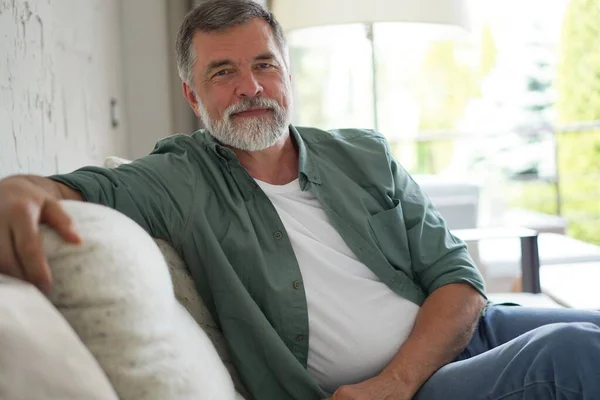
578, 89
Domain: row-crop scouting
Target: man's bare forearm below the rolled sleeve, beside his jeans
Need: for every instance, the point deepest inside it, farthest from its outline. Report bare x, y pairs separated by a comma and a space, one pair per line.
442, 330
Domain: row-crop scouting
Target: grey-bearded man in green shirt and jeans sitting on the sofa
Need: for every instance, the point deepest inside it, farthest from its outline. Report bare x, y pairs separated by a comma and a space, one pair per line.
329, 271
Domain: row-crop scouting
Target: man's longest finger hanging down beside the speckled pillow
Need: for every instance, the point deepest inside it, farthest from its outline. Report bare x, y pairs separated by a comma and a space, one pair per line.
29, 252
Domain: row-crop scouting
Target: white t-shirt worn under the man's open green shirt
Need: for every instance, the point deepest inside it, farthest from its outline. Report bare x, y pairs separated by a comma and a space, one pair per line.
356, 322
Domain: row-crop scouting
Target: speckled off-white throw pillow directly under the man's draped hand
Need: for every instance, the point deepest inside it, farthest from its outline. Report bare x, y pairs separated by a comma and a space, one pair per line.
116, 292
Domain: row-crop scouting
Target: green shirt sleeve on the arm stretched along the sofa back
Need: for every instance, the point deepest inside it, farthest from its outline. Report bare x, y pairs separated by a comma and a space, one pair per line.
156, 191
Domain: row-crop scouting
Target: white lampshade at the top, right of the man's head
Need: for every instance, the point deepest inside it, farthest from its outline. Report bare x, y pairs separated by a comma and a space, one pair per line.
297, 14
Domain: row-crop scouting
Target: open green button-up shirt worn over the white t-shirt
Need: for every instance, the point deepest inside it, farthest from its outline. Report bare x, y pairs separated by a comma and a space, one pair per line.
194, 193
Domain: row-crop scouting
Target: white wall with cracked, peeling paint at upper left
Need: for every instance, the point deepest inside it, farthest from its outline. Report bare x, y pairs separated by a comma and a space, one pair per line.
60, 65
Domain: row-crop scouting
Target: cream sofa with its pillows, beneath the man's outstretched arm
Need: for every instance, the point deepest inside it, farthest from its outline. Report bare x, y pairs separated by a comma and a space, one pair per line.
123, 321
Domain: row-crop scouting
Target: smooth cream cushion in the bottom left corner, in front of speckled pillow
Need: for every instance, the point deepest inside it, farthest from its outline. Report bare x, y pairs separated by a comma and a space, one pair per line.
40, 355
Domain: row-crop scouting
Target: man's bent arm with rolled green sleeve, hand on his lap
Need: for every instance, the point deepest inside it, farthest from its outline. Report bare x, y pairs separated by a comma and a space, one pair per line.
455, 298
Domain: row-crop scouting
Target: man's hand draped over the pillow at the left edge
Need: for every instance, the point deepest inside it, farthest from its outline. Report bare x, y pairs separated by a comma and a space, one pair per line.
25, 203
